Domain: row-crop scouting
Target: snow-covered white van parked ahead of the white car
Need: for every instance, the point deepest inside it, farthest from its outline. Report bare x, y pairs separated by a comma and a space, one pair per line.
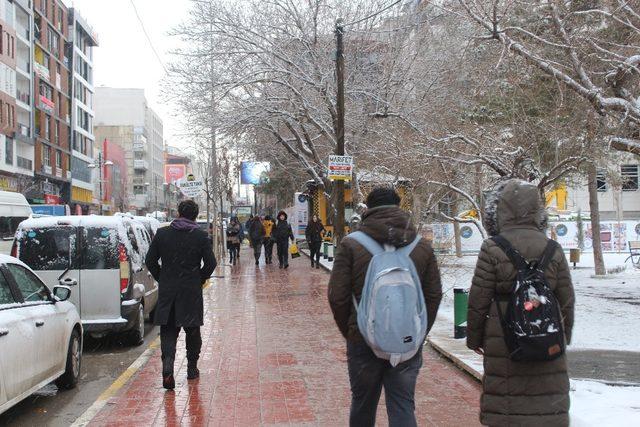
103, 258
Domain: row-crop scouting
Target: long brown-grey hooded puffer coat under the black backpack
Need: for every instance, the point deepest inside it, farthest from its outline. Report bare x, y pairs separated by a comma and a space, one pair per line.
517, 393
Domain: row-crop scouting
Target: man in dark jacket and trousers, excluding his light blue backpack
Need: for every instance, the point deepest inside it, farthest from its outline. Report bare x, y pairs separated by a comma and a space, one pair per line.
386, 224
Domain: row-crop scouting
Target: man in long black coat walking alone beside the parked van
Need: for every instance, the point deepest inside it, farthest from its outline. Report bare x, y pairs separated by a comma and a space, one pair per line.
187, 262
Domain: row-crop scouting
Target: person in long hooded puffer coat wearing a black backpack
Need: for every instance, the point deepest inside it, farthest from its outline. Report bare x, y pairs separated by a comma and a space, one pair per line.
520, 392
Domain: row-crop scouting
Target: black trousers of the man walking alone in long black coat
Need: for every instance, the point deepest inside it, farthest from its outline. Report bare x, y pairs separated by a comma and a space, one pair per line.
169, 340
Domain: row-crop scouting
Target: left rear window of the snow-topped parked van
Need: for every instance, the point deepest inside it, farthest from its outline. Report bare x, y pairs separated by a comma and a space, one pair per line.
49, 248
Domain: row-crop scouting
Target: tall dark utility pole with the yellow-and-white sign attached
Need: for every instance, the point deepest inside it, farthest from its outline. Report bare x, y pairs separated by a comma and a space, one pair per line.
339, 222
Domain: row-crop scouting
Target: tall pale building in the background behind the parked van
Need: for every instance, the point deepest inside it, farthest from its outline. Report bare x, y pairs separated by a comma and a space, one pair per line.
124, 117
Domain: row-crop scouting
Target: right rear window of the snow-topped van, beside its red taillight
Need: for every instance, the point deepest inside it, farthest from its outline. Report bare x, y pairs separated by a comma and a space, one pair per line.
101, 249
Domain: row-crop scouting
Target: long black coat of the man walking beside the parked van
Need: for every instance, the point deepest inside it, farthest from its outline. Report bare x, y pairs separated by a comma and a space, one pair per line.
187, 262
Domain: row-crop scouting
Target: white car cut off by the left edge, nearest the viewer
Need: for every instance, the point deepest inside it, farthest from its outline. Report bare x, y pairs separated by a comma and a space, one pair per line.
40, 334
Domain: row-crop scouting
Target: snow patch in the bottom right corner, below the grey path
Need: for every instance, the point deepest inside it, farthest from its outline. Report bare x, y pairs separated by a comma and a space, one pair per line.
596, 404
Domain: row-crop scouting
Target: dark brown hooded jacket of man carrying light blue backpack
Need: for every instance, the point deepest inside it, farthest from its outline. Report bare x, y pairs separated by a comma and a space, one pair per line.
386, 224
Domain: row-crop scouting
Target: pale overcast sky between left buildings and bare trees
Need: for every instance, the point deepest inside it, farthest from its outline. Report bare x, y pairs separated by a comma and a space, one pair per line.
124, 57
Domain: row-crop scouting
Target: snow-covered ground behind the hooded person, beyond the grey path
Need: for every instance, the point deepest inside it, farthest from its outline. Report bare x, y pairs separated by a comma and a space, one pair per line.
607, 312
